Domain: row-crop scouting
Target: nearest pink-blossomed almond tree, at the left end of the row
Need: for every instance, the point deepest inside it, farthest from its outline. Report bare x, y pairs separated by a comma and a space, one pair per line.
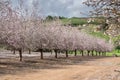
14, 30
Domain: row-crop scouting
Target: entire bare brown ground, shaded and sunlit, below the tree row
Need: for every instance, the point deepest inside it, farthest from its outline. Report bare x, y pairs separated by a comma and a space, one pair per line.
72, 68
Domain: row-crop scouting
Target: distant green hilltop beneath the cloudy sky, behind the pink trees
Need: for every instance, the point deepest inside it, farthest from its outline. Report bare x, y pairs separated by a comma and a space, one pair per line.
76, 21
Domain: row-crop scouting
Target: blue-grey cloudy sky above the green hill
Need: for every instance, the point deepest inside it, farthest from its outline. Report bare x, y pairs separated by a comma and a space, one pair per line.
67, 8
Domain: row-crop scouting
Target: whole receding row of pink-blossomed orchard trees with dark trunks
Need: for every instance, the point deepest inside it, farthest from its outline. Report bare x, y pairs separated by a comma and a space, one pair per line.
50, 36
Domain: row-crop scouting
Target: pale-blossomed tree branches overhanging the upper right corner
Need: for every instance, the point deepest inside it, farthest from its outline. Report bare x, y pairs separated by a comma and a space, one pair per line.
110, 10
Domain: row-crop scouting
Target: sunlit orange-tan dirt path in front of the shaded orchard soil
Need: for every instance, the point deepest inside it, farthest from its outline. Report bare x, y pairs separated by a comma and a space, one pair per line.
95, 69
